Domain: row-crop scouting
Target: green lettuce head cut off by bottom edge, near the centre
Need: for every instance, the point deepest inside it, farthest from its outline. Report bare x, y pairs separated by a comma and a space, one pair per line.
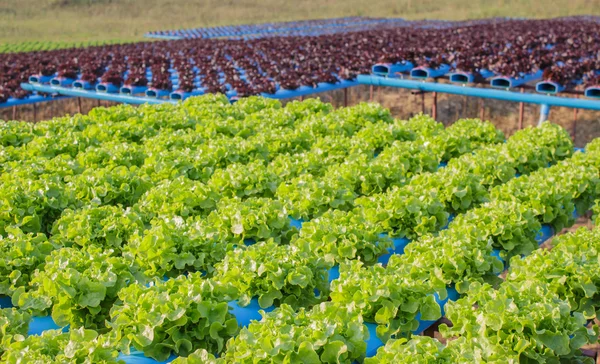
327, 333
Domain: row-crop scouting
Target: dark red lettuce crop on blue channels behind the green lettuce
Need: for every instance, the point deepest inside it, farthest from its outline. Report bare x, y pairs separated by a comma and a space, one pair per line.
564, 49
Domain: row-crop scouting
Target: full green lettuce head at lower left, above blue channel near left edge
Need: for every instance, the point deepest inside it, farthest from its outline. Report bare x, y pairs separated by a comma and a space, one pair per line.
77, 286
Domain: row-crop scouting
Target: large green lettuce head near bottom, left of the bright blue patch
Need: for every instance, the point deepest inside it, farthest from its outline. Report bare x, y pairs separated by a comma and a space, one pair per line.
178, 316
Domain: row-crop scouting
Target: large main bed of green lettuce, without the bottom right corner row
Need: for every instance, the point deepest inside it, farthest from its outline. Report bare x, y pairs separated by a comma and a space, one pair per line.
209, 232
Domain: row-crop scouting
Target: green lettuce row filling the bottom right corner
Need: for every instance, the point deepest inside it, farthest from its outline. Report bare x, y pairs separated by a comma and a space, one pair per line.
539, 314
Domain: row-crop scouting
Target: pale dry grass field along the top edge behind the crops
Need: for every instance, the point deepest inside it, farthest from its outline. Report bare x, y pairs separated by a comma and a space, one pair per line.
90, 20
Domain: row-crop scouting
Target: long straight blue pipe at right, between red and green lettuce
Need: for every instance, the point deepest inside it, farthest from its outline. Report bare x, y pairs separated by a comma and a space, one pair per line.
480, 92
